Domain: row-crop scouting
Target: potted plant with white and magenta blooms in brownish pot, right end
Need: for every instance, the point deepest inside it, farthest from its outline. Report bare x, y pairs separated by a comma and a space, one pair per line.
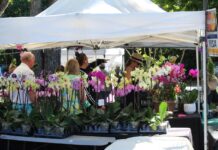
168, 79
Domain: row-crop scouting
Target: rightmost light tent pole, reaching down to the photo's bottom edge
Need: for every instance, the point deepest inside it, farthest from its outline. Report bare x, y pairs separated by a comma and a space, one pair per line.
205, 94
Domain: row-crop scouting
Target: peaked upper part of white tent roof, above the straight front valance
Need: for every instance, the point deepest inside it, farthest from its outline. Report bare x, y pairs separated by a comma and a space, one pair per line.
101, 7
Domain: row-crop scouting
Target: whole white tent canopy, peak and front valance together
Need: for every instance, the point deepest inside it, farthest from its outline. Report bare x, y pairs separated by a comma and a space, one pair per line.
85, 25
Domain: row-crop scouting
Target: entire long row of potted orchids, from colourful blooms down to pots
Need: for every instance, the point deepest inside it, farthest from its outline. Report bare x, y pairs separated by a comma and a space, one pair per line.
58, 112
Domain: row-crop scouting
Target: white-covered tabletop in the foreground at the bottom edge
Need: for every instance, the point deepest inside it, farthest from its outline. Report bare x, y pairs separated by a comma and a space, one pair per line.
152, 143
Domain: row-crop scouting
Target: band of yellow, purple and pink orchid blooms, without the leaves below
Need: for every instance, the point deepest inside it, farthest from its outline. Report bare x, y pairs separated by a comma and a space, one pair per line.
167, 81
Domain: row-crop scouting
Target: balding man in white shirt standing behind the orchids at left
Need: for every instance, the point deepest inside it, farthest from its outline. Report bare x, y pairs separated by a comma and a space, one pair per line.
22, 98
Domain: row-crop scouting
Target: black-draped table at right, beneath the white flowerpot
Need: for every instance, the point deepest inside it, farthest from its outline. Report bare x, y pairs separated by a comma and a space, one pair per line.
194, 123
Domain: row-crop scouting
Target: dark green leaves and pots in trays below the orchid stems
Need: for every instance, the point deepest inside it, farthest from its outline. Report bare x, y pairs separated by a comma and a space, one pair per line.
46, 120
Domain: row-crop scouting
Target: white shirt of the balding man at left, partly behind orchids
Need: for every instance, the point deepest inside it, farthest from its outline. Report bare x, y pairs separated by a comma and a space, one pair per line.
21, 96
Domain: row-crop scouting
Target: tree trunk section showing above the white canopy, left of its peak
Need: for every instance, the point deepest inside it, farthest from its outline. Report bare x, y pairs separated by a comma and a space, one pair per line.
35, 7
